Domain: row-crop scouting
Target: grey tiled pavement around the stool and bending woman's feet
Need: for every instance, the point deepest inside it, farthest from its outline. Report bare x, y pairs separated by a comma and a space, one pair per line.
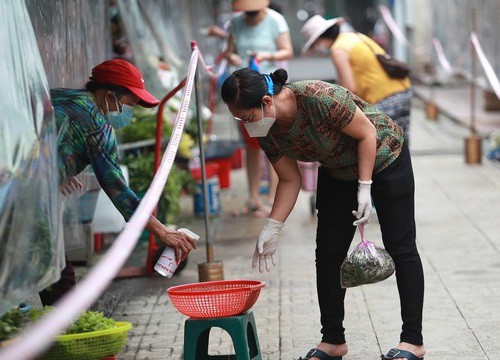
457, 207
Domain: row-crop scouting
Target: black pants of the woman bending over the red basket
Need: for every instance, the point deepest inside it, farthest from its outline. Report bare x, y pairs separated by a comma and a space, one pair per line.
393, 195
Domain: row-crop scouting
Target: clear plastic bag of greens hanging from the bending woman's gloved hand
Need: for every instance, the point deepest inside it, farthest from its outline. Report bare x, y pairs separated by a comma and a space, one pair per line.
365, 264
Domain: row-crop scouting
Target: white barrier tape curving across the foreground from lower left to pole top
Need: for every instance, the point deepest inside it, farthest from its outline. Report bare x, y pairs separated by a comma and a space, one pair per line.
36, 339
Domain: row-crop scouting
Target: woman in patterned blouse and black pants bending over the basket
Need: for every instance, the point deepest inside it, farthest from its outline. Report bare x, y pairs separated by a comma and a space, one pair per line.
362, 154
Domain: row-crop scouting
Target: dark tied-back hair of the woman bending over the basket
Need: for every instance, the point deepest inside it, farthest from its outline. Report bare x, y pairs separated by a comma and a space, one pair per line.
245, 88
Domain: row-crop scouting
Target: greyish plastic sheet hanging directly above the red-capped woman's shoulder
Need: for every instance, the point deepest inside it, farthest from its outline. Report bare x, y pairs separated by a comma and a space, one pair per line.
73, 37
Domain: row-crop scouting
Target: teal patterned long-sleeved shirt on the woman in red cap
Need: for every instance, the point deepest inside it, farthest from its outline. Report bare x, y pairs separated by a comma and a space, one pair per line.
86, 138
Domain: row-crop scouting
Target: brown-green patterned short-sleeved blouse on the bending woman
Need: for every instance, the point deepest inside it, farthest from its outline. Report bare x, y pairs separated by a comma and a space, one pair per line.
323, 109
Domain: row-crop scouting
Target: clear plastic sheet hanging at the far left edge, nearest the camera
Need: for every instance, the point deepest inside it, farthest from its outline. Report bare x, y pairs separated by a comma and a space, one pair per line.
29, 246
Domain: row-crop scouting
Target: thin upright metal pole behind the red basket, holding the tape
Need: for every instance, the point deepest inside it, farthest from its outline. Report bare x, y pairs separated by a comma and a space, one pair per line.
206, 204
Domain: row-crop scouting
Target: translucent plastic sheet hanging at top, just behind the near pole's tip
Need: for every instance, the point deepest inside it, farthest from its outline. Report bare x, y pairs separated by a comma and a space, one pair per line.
165, 29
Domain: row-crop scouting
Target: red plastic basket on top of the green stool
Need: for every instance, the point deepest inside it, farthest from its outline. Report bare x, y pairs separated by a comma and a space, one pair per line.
213, 299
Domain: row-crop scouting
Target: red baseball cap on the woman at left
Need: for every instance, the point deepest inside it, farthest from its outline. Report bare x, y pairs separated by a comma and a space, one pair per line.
122, 73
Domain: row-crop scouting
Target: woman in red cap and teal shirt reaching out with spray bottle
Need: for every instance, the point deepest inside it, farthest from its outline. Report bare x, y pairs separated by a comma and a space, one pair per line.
85, 121
